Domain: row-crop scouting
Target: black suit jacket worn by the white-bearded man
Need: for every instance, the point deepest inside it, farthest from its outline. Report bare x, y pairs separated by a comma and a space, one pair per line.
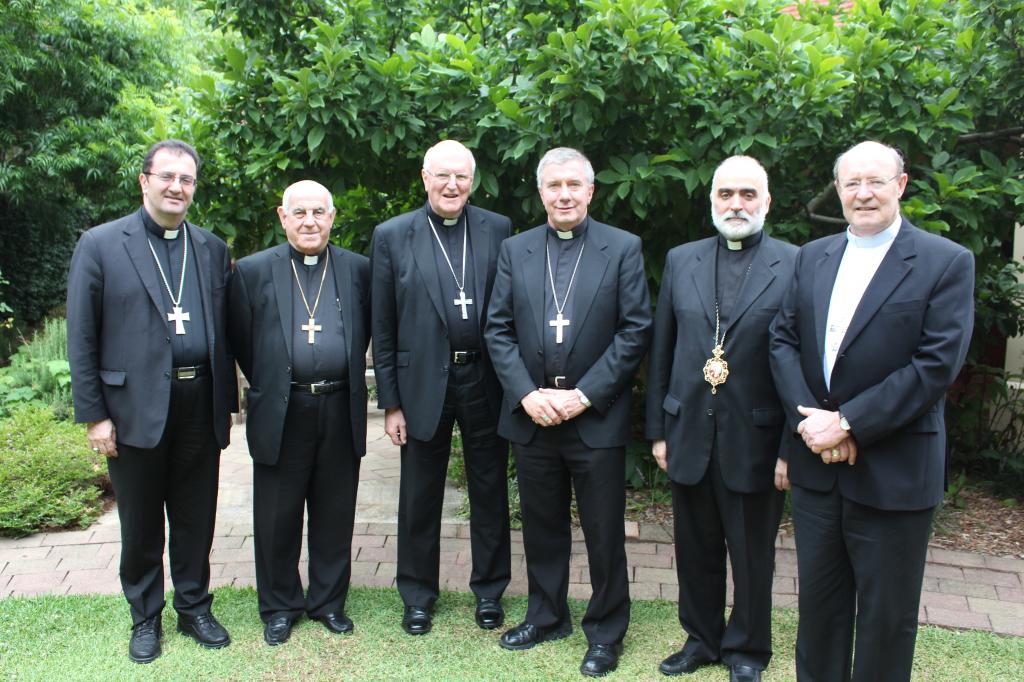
746, 417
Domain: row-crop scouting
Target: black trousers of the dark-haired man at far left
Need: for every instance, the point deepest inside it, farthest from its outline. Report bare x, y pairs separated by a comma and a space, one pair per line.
180, 476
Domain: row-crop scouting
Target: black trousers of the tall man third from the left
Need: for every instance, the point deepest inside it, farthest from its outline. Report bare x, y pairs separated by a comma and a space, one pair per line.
421, 496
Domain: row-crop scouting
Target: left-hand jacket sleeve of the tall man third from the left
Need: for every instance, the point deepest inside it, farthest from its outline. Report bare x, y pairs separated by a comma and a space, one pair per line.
385, 323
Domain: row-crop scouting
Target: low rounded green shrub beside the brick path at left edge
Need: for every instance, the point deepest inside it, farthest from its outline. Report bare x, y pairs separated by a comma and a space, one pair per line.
50, 479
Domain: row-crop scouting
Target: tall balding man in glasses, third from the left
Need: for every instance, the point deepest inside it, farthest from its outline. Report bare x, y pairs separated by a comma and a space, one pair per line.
433, 273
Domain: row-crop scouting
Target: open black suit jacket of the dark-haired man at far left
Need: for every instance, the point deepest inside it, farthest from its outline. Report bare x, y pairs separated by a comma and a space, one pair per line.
118, 335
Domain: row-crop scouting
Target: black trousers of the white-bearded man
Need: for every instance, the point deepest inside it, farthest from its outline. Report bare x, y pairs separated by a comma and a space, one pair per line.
709, 519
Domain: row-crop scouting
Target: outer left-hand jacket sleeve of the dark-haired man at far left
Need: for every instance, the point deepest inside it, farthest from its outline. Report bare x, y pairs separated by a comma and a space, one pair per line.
86, 304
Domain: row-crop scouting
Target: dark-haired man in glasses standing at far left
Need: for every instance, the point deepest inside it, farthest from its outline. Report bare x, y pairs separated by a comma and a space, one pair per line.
152, 376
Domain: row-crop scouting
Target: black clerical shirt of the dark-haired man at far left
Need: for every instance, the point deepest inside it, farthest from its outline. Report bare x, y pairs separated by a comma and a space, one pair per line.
191, 349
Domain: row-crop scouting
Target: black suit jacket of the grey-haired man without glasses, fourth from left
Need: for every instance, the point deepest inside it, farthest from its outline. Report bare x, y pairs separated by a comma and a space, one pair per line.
612, 323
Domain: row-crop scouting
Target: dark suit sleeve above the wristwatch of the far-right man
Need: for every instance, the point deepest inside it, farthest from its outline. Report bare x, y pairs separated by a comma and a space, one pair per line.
908, 394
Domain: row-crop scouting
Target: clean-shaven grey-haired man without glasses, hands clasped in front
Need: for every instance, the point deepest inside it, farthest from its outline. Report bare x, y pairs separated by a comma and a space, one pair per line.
568, 327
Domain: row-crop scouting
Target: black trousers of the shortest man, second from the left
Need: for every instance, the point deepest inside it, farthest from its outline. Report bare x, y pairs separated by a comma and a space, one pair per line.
317, 471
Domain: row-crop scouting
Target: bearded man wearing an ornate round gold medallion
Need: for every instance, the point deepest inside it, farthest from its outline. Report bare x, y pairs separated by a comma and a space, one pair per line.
718, 433
